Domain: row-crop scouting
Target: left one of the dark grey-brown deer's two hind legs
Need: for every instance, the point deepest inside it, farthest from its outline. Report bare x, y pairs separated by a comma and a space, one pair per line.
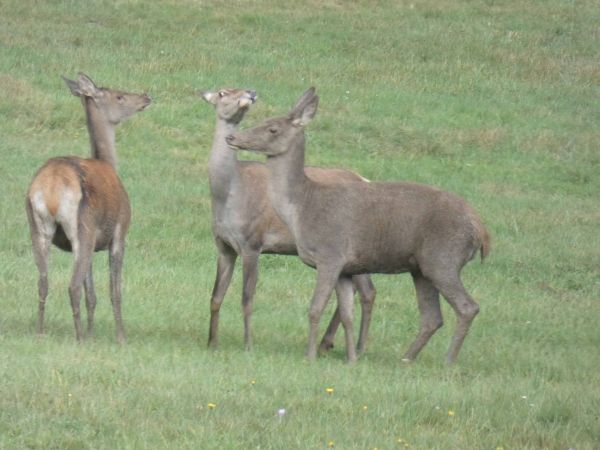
428, 299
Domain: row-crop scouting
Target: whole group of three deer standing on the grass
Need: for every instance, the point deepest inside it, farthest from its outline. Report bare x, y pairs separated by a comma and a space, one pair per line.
337, 222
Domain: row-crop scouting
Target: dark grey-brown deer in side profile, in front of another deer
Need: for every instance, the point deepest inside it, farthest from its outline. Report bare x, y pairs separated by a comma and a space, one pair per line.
343, 230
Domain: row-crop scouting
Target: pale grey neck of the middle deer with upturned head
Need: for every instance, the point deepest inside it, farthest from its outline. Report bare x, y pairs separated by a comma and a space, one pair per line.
222, 164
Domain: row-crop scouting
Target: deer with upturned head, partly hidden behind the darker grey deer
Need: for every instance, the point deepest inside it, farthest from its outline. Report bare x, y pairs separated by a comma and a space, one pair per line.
245, 224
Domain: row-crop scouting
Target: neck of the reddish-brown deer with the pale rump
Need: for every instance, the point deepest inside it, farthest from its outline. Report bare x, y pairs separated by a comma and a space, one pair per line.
102, 134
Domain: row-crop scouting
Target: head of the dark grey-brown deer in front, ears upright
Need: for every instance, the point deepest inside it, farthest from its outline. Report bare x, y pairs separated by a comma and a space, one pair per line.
274, 136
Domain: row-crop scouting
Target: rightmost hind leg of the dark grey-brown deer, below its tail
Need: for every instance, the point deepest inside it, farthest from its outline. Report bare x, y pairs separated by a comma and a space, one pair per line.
465, 308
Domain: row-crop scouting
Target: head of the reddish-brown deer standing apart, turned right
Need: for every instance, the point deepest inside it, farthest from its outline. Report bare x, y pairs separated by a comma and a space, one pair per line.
116, 106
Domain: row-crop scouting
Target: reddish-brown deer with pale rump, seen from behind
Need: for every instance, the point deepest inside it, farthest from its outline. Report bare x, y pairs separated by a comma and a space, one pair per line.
80, 205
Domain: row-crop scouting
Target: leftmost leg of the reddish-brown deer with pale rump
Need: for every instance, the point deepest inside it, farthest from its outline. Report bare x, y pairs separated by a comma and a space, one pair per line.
41, 238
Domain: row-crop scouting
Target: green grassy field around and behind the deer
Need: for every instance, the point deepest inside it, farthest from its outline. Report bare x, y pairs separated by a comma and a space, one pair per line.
497, 101
